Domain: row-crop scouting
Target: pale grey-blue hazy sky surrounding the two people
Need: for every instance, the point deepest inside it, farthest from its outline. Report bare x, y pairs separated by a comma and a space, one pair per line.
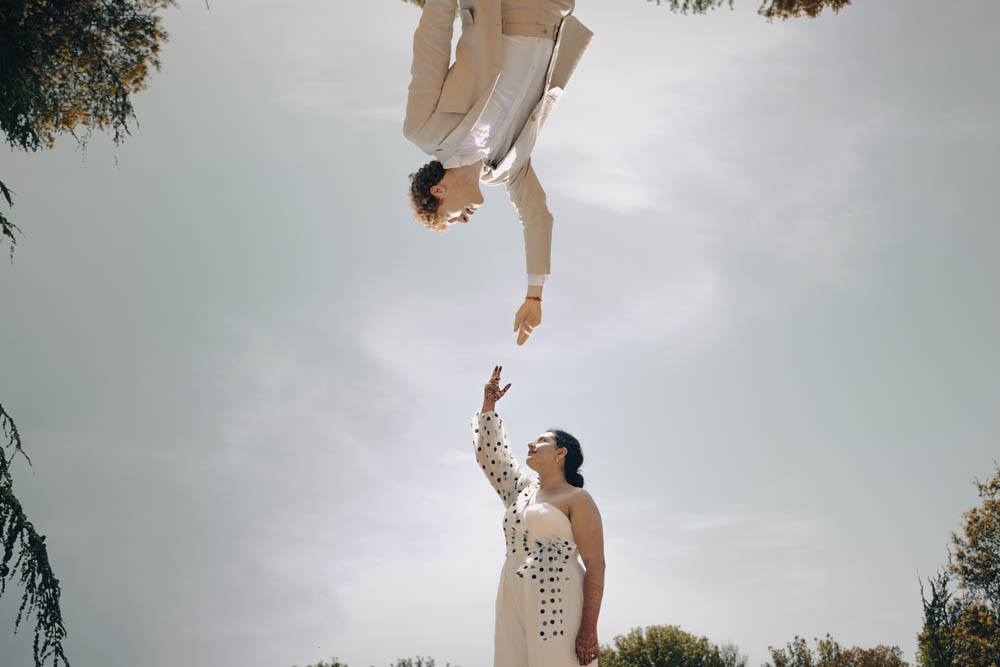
245, 375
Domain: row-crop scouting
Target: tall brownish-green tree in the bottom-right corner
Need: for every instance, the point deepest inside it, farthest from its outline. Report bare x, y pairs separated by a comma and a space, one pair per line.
962, 627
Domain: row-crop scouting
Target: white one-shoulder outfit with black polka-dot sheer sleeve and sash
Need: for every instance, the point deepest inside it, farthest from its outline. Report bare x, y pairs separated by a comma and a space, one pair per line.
540, 597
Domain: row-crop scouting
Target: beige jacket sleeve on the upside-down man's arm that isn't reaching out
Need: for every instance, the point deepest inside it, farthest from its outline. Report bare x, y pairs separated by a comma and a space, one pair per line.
431, 60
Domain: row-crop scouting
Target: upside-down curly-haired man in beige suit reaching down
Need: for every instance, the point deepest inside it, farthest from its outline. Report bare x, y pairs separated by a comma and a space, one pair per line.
480, 115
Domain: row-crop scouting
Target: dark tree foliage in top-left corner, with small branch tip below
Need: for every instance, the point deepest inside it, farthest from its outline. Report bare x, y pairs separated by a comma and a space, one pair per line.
69, 64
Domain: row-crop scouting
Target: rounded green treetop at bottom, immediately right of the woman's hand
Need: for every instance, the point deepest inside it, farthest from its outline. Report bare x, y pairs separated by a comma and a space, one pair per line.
667, 646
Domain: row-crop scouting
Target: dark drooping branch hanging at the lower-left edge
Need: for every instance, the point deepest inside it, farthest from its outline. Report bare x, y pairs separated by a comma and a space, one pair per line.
41, 588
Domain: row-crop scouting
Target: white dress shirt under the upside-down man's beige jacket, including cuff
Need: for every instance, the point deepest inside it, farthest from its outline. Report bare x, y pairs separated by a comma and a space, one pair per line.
518, 90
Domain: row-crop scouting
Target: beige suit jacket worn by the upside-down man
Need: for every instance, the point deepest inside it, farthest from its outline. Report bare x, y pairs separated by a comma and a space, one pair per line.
446, 99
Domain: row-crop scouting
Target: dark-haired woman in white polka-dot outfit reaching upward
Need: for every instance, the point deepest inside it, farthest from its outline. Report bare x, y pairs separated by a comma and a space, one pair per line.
547, 605
